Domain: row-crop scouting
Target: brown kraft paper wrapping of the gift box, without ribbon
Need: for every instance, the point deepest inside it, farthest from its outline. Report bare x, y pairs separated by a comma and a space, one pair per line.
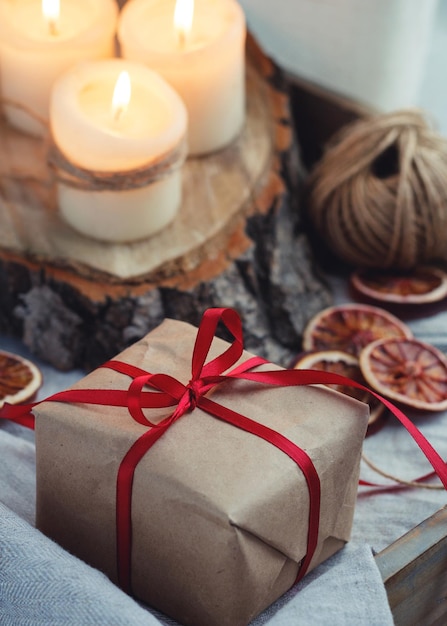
219, 516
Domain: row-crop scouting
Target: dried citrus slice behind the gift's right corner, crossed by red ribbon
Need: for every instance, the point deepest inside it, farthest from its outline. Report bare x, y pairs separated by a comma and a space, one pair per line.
347, 365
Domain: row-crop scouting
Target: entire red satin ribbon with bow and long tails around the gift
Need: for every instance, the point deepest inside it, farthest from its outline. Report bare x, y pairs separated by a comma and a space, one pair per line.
170, 392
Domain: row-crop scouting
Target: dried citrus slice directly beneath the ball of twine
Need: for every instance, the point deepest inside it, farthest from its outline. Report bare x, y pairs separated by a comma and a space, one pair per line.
422, 285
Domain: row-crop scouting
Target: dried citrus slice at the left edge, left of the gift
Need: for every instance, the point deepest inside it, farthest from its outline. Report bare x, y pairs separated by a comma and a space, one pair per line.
19, 379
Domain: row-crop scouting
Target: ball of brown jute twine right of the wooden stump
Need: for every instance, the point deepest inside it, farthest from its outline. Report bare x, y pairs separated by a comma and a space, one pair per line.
378, 196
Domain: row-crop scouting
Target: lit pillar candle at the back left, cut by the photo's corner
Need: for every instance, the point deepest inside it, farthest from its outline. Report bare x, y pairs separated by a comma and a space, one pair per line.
38, 42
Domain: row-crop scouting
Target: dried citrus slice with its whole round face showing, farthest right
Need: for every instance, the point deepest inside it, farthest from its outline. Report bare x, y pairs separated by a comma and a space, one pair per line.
407, 371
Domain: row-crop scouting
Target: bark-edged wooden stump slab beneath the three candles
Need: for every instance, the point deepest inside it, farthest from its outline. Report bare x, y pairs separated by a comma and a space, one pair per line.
238, 241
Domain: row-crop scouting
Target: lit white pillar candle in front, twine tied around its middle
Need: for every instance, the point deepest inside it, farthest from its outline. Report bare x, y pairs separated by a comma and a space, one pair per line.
94, 135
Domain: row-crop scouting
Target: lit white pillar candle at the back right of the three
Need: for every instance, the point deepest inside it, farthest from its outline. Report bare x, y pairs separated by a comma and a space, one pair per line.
204, 64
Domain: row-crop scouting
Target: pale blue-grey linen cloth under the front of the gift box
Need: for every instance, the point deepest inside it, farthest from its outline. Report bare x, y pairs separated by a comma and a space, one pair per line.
42, 585
